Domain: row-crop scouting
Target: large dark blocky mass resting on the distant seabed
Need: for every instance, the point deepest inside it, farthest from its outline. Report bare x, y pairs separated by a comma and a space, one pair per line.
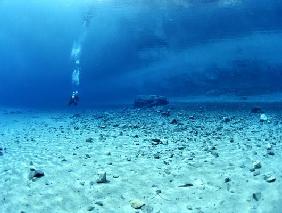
143, 101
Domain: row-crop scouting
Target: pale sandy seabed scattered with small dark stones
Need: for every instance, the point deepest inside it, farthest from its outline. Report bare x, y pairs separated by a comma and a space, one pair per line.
173, 159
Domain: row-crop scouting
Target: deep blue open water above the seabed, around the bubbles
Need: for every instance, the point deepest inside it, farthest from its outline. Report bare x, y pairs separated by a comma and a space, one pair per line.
172, 48
